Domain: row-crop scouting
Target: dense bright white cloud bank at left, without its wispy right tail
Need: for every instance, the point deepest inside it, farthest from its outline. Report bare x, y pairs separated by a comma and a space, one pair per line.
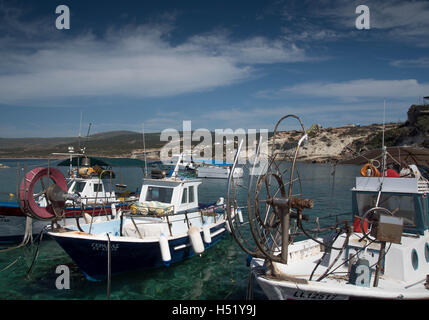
138, 64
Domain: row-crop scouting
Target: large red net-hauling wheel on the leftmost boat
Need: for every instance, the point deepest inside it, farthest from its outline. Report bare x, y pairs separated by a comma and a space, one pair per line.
26, 192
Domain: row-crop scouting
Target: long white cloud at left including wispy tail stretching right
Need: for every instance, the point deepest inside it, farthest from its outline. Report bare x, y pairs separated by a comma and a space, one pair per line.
134, 61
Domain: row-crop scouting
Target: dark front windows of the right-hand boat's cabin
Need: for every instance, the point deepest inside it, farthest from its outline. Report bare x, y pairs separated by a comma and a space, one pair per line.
400, 205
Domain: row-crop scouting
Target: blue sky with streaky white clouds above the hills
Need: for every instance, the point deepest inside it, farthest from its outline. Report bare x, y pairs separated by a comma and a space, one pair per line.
221, 64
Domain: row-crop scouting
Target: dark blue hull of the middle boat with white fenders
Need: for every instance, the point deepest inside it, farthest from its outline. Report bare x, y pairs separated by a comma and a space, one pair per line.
90, 253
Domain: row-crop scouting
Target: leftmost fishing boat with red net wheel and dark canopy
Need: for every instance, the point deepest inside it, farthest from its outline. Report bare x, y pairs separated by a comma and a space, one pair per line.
89, 179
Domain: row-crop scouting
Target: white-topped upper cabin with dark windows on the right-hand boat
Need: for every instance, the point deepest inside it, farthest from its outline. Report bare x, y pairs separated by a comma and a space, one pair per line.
404, 197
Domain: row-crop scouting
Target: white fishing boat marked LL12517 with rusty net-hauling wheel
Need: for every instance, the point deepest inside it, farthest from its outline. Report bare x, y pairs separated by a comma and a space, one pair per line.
379, 251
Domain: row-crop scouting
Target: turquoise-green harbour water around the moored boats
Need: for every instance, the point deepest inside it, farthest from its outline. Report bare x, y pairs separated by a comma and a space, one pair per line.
220, 273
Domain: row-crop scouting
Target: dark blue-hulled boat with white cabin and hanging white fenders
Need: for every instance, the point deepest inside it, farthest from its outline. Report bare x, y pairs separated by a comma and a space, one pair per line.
166, 225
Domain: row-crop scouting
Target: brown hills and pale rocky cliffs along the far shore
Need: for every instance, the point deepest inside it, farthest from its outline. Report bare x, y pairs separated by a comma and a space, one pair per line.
324, 144
